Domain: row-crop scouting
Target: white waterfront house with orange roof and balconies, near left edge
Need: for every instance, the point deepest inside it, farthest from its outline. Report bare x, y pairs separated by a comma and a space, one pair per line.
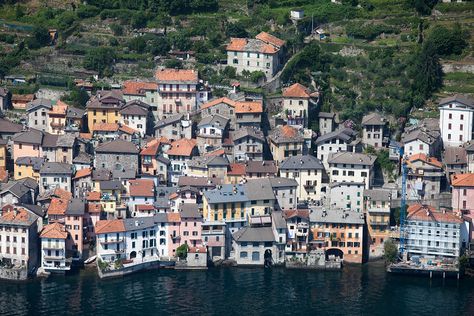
53, 248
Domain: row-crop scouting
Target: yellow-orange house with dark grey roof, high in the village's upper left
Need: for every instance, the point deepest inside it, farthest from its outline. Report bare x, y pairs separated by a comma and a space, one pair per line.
104, 107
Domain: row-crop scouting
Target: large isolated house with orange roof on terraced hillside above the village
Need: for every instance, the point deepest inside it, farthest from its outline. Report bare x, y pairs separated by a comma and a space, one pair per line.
264, 53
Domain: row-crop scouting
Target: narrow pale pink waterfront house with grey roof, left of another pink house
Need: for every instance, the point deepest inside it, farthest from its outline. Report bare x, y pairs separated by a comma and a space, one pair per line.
191, 225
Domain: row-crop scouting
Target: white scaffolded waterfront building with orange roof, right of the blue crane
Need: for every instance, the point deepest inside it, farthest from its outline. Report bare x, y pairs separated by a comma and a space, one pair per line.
433, 233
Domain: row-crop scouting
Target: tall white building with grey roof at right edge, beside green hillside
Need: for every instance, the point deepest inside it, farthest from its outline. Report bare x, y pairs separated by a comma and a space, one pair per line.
456, 119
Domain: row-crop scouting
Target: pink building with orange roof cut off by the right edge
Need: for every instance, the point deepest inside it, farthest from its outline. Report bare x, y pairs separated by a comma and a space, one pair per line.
463, 193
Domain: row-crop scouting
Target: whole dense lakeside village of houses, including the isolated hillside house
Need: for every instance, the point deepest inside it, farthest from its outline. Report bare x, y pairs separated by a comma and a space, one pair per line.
161, 174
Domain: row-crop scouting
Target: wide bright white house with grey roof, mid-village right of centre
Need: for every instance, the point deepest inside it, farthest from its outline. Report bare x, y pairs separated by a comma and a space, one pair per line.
351, 167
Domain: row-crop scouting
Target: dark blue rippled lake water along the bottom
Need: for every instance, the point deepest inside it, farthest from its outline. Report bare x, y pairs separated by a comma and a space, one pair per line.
365, 290
